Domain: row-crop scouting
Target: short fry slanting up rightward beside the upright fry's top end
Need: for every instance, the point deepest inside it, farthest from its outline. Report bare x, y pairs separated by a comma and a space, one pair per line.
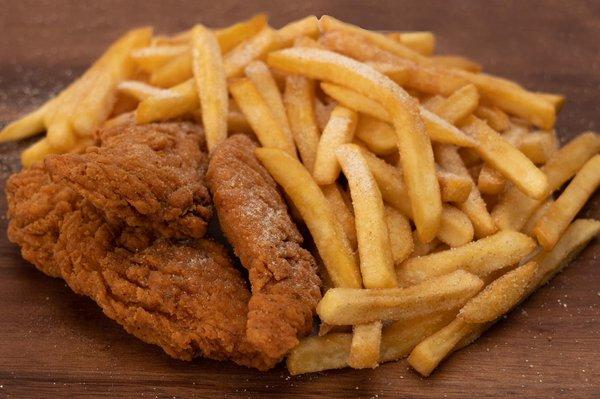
247, 51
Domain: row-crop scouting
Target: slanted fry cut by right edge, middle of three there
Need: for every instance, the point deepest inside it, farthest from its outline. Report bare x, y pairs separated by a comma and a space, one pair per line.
558, 217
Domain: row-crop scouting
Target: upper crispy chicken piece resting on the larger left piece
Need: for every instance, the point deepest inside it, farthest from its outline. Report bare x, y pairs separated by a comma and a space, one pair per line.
149, 176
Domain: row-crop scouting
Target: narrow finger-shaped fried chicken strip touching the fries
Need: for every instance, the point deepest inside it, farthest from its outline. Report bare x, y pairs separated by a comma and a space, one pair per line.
255, 220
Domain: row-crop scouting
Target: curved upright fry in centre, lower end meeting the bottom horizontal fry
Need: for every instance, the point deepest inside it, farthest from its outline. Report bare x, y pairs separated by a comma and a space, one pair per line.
376, 262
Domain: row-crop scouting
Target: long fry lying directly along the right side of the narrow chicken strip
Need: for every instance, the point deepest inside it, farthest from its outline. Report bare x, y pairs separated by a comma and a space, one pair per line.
316, 212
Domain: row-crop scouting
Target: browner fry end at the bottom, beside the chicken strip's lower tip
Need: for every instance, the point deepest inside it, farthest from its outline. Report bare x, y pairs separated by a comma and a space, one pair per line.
320, 353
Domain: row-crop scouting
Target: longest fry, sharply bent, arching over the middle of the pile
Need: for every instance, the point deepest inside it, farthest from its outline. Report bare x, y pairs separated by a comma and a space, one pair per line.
415, 148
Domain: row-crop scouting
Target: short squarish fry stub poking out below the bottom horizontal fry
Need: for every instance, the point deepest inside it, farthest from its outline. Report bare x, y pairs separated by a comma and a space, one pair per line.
366, 341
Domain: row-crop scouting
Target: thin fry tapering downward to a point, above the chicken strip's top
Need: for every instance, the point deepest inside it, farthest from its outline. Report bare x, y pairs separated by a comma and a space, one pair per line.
260, 75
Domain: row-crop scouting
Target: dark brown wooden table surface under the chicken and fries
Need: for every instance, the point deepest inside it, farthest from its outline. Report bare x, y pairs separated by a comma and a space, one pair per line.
54, 343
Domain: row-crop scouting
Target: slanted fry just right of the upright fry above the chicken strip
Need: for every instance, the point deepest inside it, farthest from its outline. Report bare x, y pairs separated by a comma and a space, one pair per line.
259, 116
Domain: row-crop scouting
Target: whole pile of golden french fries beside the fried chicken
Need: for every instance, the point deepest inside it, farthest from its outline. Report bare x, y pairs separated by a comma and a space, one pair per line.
427, 185
